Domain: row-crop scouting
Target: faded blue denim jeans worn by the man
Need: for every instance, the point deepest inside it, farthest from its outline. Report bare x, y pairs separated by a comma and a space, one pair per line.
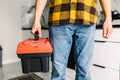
61, 40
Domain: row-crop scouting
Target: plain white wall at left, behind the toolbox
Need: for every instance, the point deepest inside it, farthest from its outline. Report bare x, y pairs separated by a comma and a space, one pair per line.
10, 28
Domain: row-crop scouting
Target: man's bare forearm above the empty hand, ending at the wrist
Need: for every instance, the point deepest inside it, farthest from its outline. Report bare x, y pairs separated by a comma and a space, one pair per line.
106, 7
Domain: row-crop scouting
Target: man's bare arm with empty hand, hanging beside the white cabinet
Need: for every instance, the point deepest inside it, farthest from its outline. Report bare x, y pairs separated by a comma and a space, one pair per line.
107, 25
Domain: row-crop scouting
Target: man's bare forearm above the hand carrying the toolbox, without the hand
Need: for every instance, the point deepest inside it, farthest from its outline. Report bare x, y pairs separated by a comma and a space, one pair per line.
40, 5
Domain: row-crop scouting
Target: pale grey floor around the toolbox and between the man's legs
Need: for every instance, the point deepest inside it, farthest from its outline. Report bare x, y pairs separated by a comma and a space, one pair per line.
14, 70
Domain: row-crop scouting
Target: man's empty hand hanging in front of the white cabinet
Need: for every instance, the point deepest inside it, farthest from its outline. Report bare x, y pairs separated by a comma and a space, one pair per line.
107, 29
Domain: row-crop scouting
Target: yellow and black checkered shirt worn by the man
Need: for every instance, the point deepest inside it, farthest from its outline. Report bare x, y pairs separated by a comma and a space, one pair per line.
73, 12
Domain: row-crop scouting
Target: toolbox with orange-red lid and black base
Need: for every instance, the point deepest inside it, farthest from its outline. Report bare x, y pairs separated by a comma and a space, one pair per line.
34, 54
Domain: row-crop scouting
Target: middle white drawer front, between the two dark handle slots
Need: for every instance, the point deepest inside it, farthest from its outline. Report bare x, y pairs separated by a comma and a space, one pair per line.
107, 54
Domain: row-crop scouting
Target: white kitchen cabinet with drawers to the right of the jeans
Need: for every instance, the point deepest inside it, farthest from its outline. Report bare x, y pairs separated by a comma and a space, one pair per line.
106, 58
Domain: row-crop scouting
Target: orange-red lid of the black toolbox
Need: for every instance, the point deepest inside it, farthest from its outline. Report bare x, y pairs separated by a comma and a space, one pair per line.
31, 46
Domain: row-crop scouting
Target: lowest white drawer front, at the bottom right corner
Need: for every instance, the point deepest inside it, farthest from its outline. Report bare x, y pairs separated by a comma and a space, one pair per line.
103, 74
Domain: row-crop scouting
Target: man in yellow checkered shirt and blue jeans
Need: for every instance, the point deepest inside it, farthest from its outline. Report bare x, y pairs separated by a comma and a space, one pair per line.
68, 18
